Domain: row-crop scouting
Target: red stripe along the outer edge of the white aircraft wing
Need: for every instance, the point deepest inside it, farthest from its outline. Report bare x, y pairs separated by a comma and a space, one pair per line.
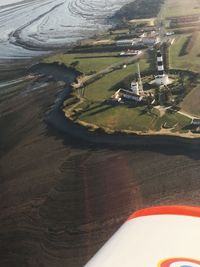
167, 210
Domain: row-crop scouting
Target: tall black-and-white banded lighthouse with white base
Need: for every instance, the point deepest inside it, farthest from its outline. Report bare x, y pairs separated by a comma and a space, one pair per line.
161, 78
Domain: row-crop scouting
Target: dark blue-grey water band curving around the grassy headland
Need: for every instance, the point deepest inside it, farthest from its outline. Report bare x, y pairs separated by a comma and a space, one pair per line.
56, 118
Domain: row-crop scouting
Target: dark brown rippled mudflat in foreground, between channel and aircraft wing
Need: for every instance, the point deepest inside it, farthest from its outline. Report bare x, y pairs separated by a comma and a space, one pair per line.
61, 198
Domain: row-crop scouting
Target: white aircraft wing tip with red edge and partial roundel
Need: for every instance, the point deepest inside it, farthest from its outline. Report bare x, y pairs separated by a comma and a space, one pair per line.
166, 236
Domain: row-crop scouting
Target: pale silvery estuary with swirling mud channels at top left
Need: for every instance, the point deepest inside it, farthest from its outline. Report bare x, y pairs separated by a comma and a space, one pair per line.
30, 25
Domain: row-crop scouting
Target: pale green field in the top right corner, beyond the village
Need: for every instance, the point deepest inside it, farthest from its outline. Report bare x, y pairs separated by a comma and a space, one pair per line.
175, 8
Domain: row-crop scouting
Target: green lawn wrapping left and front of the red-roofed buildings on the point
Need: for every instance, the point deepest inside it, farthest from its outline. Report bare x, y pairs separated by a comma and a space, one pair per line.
123, 117
